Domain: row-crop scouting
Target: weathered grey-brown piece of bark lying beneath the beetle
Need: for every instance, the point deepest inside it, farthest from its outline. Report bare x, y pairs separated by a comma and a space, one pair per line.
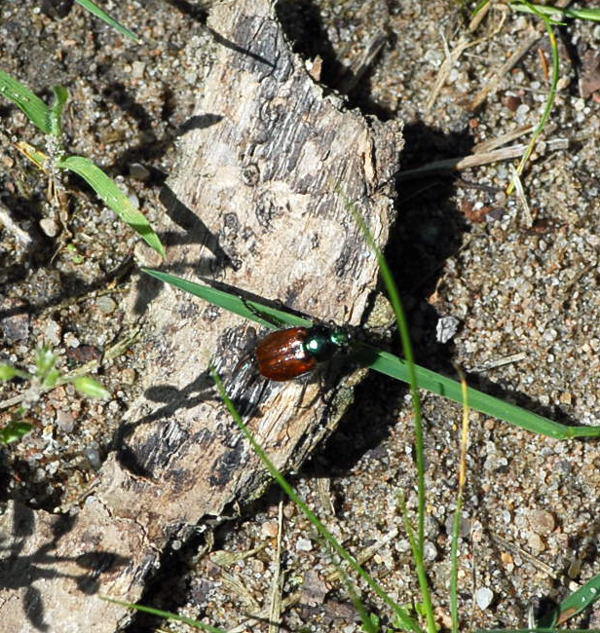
260, 202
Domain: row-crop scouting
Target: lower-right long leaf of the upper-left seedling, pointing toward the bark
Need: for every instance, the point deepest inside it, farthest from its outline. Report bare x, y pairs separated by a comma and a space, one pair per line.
113, 197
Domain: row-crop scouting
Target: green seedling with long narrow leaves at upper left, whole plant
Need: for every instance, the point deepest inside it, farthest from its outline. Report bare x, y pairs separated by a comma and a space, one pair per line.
49, 120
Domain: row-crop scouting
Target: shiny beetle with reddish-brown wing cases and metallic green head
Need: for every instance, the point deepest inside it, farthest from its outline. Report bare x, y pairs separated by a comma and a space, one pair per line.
292, 352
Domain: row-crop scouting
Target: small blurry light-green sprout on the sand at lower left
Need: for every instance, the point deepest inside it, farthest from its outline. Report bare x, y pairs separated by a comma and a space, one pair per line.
44, 377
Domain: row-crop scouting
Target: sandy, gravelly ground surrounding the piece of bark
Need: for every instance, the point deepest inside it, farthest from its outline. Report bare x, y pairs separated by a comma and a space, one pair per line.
523, 283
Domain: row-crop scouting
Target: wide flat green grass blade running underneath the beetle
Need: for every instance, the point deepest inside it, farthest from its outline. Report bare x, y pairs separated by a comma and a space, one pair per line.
391, 365
